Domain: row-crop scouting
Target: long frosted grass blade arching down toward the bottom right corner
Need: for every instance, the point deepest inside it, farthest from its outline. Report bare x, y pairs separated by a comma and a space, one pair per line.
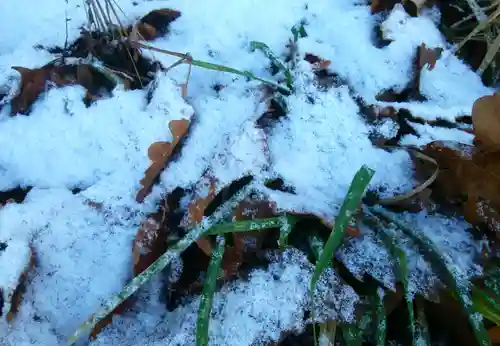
439, 259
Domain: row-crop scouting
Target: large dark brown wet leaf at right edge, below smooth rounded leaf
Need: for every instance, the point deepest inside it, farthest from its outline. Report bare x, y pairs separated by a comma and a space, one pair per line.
467, 177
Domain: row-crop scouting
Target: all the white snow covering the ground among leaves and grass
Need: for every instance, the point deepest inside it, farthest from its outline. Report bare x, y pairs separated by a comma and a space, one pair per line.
84, 253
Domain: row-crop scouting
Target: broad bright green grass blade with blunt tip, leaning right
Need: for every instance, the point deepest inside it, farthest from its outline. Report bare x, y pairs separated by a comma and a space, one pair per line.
352, 200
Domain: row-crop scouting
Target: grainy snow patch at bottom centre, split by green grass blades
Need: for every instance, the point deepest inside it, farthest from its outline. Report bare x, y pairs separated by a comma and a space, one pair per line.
244, 313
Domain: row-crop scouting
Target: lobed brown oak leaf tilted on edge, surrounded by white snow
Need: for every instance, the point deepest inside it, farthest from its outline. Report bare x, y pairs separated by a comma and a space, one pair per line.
159, 153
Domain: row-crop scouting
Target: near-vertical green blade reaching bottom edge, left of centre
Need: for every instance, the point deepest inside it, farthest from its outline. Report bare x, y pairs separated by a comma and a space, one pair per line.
208, 294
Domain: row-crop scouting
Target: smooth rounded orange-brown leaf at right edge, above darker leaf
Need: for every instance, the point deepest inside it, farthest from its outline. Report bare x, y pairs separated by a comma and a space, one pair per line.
486, 122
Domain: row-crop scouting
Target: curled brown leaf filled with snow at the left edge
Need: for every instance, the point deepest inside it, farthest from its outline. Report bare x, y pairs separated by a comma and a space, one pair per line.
17, 258
